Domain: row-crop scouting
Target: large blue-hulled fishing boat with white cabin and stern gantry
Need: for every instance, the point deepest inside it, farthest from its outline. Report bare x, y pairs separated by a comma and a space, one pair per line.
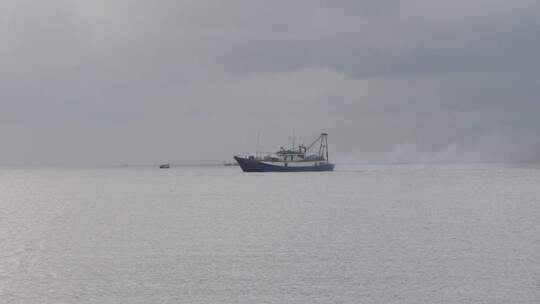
313, 157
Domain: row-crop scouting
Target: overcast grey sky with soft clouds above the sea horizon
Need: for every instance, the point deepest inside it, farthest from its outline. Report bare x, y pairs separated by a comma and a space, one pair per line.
118, 81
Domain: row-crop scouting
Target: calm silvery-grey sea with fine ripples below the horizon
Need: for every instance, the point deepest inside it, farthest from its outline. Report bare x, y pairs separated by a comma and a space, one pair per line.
362, 234
